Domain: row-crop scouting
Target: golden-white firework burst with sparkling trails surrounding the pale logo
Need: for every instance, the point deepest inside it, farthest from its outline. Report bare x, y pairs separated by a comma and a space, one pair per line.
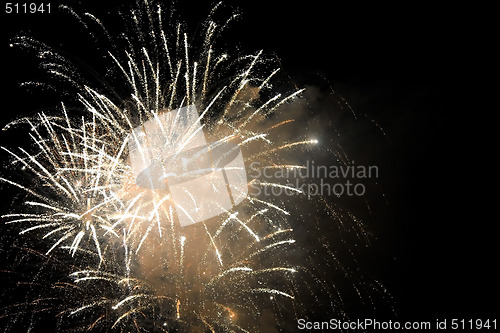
113, 253
